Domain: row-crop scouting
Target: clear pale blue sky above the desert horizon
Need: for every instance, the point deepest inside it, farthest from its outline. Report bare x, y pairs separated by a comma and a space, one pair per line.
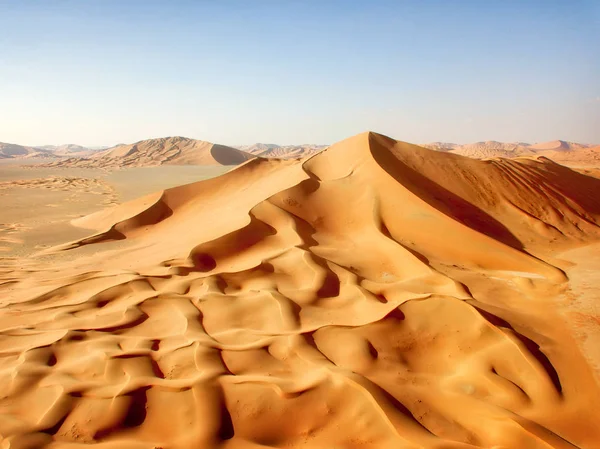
109, 71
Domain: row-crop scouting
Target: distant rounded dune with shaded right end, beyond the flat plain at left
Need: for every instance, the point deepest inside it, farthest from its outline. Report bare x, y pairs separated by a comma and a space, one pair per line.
163, 151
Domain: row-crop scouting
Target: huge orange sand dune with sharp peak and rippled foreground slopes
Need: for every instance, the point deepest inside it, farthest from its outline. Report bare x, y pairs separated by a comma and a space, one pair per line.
378, 294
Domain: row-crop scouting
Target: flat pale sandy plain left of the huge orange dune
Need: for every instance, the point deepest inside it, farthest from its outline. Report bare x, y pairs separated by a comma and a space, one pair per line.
38, 203
